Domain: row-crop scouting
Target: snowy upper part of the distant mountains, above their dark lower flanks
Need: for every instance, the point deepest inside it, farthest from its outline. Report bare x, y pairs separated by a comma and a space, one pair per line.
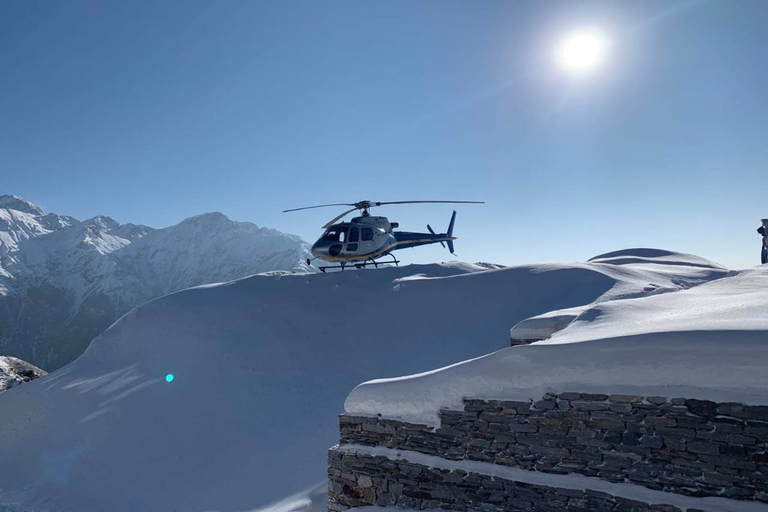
125, 261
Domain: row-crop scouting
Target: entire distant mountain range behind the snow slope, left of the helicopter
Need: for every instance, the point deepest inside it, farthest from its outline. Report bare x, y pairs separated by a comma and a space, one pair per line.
64, 281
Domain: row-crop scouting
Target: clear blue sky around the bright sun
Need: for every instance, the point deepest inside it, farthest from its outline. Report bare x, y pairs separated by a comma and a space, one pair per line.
151, 112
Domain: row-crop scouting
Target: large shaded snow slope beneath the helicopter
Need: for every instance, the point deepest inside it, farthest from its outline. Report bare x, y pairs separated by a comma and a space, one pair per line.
261, 368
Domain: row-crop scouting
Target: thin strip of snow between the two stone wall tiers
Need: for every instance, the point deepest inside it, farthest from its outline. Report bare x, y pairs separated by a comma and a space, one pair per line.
570, 481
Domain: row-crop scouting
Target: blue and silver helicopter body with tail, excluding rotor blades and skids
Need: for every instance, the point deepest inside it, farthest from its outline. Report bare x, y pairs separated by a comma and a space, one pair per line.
368, 238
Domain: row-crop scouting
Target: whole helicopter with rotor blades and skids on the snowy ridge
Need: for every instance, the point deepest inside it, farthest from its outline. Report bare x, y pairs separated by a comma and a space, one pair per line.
367, 238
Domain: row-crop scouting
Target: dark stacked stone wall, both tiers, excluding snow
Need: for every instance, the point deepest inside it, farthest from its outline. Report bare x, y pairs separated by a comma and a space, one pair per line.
684, 446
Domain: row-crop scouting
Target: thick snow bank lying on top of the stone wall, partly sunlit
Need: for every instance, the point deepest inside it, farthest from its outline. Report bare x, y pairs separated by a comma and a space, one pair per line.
707, 342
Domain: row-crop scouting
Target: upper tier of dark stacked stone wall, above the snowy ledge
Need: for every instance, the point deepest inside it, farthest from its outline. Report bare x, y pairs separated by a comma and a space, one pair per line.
684, 446
